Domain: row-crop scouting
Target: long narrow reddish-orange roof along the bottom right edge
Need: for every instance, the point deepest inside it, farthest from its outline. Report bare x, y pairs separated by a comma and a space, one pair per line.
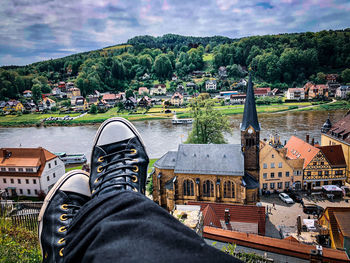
268, 244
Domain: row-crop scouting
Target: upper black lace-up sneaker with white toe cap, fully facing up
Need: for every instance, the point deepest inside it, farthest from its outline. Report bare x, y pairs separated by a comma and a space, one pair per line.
119, 159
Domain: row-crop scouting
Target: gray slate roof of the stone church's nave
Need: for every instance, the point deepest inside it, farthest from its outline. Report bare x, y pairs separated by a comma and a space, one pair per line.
217, 159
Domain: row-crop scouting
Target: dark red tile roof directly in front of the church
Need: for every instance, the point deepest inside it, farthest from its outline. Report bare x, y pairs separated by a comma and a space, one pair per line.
213, 213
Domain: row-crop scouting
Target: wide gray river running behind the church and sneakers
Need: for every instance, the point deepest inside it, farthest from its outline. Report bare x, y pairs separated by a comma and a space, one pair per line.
161, 136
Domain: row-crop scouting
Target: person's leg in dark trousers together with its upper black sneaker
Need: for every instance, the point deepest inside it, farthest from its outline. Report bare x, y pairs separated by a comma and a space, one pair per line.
120, 224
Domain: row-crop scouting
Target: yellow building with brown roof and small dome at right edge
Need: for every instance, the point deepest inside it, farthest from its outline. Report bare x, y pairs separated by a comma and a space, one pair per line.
338, 134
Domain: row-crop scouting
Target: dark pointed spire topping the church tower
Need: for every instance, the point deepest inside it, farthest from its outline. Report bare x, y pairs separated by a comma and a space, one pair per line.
250, 117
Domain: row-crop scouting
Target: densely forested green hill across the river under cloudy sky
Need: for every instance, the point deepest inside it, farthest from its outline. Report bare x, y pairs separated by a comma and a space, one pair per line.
281, 60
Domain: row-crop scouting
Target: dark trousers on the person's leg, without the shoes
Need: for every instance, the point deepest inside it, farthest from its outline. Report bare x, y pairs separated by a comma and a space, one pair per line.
128, 227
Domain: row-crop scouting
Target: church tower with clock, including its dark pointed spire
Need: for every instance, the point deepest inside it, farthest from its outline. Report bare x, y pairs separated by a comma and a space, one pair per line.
250, 133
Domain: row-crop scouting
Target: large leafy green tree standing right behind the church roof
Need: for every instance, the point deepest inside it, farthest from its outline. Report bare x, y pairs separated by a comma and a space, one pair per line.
208, 125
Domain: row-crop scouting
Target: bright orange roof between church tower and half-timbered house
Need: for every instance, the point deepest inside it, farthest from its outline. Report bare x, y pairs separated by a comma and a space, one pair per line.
297, 148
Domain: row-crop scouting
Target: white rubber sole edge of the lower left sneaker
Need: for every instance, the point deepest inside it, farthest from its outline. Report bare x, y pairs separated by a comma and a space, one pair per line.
49, 196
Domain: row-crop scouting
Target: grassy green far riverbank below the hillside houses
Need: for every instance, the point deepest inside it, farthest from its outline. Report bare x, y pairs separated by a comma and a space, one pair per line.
155, 113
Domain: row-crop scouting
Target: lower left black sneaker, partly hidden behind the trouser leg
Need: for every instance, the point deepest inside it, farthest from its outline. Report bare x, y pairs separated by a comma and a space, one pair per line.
62, 202
